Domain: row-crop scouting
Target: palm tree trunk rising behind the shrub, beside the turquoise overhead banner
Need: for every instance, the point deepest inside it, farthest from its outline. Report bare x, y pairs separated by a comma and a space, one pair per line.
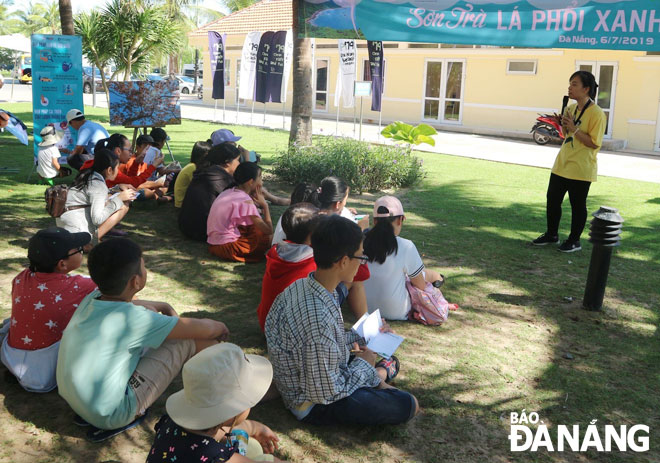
301, 107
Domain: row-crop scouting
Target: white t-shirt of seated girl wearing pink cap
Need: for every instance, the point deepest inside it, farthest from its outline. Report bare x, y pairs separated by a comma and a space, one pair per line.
386, 287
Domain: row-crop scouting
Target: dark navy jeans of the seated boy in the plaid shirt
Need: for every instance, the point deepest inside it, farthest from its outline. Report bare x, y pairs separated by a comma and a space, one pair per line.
366, 406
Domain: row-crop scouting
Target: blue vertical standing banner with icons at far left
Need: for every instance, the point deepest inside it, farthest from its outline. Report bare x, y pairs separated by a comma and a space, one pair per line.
56, 82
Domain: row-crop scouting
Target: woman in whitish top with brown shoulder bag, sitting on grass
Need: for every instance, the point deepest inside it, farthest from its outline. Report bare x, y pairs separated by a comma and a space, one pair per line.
88, 208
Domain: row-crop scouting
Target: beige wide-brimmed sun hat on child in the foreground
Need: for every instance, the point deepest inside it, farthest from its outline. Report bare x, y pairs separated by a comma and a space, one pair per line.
219, 383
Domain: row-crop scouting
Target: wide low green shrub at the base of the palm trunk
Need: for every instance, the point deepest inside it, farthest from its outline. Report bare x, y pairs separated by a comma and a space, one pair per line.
362, 165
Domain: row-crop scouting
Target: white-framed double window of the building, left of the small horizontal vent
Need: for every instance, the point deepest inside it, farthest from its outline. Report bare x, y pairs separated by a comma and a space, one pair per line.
443, 92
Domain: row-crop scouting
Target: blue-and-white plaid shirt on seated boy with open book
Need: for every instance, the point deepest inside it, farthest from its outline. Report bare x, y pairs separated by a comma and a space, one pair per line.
310, 349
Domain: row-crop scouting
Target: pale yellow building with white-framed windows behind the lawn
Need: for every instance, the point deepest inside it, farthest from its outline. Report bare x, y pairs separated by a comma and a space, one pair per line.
487, 90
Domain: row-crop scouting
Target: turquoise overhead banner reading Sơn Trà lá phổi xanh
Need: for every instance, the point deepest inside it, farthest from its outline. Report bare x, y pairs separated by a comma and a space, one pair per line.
590, 24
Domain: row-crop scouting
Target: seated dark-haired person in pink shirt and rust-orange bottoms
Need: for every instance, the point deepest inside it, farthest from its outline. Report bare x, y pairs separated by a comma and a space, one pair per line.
235, 230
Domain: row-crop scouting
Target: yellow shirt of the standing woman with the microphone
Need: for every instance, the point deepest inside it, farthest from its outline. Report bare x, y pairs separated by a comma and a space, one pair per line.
575, 160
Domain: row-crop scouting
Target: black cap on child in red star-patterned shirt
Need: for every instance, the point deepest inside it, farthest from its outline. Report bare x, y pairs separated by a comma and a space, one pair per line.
49, 246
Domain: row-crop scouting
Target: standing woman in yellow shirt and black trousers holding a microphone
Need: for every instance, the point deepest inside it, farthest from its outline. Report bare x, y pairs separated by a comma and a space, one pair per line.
575, 167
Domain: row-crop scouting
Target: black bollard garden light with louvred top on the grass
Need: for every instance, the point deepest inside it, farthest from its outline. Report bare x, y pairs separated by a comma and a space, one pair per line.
605, 234
